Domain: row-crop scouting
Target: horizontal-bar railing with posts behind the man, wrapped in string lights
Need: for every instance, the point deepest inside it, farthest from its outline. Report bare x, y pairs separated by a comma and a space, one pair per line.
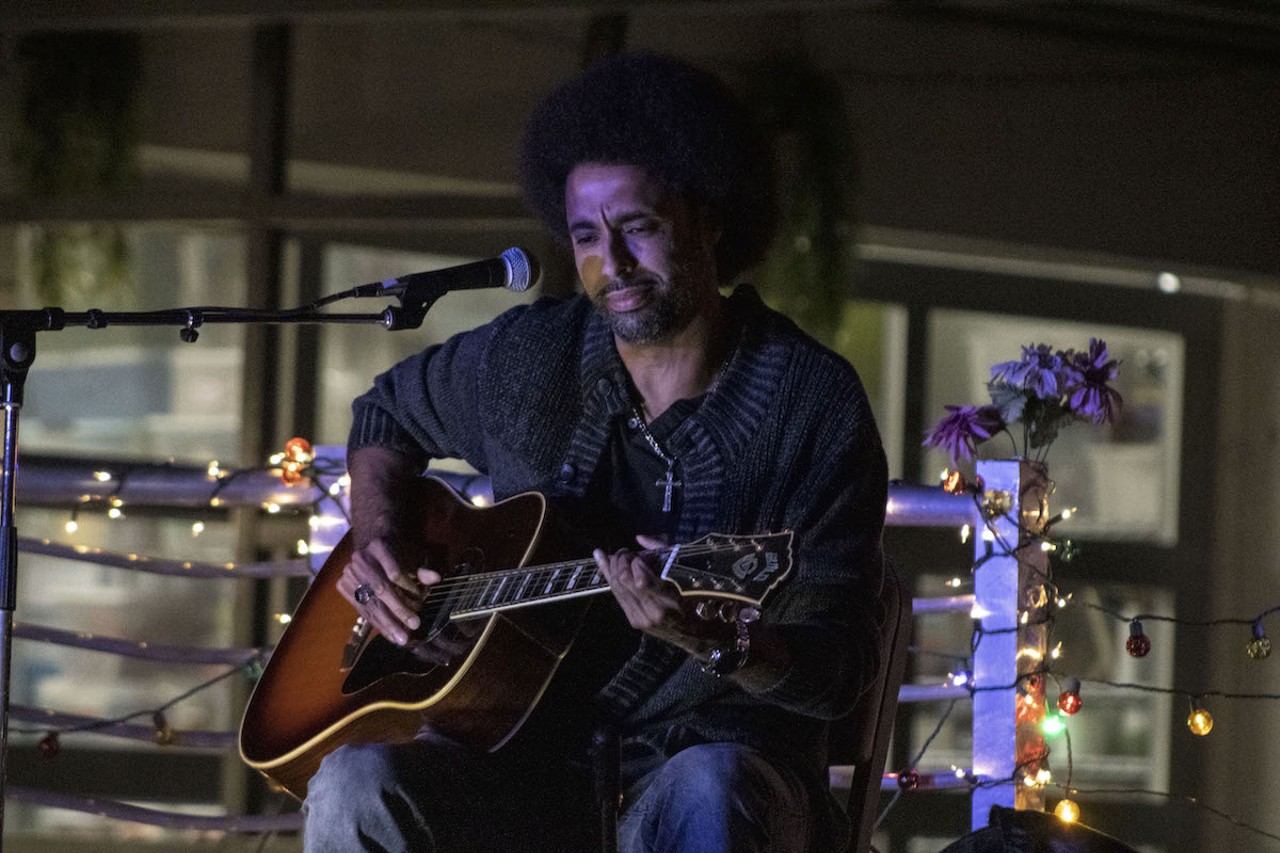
999, 516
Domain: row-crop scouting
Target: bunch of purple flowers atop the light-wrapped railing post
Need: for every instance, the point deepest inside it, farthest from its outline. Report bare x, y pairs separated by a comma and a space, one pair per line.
1044, 391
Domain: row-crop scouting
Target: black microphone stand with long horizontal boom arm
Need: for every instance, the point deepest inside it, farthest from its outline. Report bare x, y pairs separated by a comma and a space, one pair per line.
19, 353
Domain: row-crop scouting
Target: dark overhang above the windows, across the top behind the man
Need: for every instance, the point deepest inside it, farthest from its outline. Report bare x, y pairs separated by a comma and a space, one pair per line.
1144, 131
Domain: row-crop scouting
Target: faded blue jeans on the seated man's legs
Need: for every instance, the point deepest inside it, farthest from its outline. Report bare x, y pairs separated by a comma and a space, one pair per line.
433, 796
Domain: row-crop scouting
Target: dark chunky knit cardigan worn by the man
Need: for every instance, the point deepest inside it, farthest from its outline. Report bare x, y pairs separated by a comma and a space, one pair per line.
785, 441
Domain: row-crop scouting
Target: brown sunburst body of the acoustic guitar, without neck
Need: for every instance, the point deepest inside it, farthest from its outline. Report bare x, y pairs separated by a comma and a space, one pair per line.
308, 704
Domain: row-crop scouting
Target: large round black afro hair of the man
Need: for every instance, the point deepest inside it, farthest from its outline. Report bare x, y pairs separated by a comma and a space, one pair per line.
676, 122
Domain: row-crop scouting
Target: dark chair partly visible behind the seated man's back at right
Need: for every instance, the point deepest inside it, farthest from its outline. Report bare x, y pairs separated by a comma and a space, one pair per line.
858, 745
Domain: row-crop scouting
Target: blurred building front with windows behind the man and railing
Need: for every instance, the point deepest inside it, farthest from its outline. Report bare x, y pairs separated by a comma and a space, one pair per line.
961, 179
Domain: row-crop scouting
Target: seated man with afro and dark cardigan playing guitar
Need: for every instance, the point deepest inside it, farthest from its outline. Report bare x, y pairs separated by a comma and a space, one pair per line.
651, 407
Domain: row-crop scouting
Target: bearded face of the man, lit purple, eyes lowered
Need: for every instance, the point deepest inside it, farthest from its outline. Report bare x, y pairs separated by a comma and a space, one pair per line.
644, 256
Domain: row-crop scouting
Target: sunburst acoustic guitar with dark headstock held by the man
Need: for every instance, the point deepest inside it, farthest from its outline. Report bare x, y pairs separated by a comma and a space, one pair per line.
331, 681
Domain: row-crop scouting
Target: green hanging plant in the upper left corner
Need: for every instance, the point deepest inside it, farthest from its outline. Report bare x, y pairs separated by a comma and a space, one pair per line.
79, 134
